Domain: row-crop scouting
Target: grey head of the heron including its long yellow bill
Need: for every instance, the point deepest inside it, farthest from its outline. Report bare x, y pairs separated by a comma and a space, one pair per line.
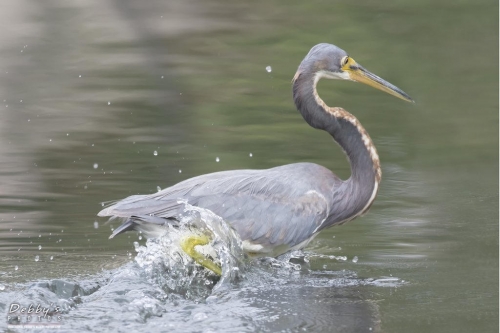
331, 62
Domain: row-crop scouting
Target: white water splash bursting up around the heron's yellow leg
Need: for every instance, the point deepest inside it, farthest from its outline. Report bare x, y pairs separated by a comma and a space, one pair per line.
166, 264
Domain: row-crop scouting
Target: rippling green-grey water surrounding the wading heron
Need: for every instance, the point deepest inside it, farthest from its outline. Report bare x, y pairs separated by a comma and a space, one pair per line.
108, 84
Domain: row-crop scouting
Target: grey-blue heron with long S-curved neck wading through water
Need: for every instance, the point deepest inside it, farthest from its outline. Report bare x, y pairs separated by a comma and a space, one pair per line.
282, 208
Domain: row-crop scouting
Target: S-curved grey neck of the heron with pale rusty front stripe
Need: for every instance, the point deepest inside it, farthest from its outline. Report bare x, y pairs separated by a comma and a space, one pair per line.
357, 193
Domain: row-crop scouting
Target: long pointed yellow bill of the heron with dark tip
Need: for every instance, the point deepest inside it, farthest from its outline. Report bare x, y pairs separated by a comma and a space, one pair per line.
359, 74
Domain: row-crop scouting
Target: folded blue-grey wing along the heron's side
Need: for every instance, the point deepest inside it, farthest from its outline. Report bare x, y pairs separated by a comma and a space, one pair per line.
279, 206
